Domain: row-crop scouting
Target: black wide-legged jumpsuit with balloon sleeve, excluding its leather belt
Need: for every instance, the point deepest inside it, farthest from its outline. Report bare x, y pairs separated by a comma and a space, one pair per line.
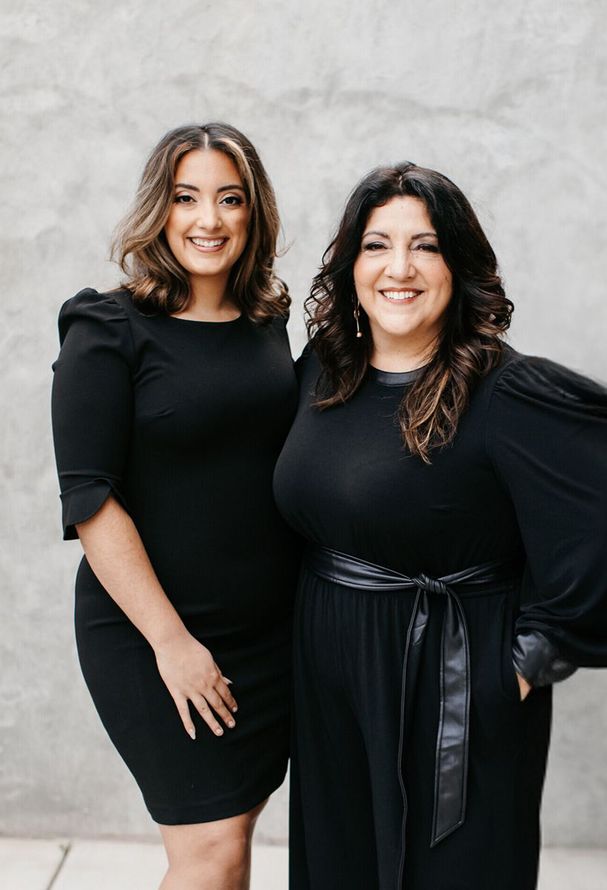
524, 484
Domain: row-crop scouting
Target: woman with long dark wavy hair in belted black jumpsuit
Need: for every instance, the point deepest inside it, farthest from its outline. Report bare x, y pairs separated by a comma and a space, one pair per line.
453, 494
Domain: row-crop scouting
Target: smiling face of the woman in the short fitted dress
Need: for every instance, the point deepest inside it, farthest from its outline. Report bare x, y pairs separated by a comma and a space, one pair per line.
207, 227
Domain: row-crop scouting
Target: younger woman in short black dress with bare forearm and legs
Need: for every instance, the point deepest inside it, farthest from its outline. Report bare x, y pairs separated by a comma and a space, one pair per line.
172, 398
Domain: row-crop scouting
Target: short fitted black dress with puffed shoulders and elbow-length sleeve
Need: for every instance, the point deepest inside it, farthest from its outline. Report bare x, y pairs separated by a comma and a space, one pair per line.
182, 421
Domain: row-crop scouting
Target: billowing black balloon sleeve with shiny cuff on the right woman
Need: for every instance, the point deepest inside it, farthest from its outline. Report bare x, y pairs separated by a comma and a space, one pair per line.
547, 431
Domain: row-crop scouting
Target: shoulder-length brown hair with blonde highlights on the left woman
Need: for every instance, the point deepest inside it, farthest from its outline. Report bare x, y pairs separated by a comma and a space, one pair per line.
153, 275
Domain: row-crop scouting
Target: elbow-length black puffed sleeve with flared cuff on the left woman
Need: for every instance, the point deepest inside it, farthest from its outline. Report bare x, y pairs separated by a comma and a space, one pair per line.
91, 404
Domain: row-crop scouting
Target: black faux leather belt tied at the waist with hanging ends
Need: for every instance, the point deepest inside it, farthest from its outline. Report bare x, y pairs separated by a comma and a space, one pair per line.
451, 769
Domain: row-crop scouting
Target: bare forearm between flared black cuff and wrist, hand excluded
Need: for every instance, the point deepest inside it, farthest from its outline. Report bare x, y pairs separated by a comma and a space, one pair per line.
118, 558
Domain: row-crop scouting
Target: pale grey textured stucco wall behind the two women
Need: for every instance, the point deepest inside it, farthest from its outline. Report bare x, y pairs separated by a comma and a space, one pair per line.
506, 98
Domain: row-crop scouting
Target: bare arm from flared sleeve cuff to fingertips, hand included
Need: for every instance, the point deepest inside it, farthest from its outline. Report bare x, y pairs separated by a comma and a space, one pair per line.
117, 556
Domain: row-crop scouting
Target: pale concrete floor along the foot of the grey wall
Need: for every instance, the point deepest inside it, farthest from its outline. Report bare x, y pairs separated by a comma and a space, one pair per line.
119, 865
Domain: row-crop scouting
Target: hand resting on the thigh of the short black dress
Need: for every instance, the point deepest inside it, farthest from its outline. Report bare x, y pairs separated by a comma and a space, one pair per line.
190, 674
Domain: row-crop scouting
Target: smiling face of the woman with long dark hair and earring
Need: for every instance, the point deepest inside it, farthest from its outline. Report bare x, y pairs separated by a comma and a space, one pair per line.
402, 282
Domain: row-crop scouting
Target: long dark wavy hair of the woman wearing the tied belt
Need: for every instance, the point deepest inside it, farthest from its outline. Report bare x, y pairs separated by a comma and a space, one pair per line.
477, 315
